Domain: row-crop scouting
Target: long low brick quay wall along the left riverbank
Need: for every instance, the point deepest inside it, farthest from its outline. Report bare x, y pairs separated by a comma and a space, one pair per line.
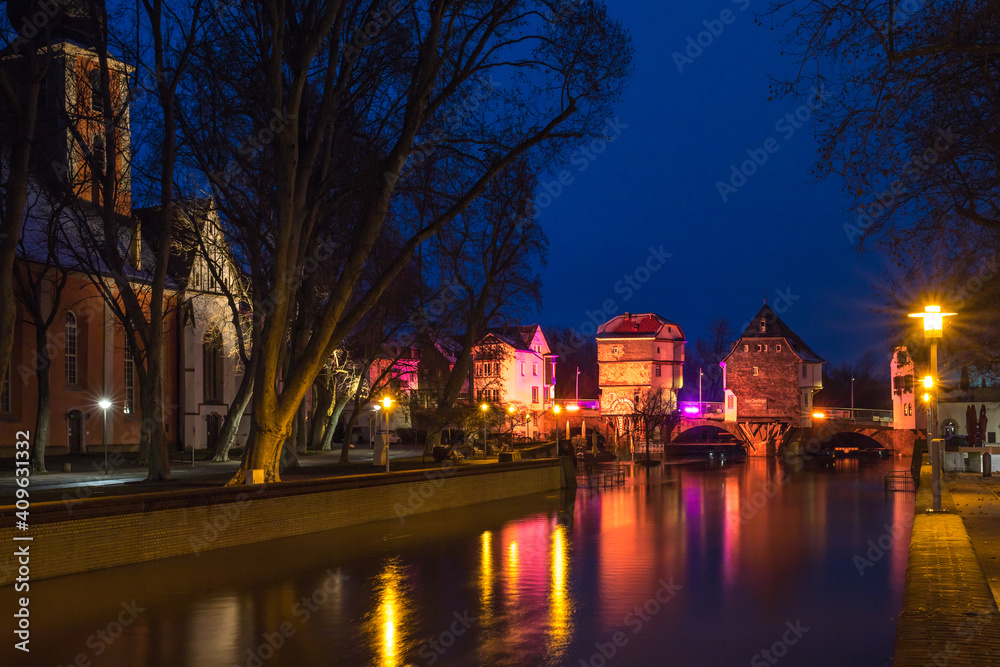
96, 533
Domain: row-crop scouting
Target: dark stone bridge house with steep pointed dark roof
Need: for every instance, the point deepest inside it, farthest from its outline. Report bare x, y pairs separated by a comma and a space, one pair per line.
771, 373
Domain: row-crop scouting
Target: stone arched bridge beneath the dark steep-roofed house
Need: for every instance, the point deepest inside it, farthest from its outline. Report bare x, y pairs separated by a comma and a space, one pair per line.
769, 437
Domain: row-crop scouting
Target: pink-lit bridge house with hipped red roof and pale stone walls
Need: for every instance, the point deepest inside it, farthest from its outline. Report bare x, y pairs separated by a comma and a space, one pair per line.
638, 351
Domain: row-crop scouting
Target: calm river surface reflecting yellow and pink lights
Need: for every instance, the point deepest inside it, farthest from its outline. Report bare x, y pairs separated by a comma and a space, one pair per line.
684, 565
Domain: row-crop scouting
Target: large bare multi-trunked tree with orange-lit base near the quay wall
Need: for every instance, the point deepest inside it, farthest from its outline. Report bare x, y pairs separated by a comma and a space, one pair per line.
403, 97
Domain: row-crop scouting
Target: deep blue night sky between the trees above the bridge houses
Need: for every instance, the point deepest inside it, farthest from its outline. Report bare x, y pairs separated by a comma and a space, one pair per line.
656, 185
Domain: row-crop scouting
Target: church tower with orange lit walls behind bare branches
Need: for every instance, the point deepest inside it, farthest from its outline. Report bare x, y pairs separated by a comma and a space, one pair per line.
82, 130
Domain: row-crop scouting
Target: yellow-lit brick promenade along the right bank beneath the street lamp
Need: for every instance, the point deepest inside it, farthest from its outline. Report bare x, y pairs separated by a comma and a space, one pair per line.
950, 616
